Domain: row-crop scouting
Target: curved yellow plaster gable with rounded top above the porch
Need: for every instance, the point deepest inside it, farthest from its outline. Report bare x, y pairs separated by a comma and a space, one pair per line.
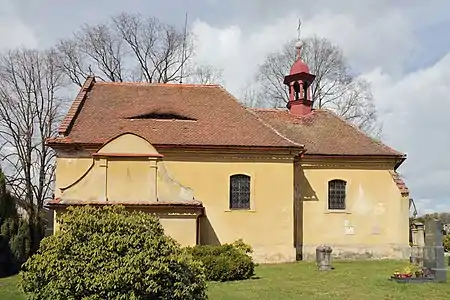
126, 169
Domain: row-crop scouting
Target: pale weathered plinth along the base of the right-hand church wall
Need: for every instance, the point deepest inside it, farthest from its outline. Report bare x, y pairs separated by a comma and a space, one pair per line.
388, 251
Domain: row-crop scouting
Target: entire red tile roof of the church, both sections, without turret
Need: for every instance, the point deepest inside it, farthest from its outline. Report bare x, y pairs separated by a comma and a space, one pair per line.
204, 115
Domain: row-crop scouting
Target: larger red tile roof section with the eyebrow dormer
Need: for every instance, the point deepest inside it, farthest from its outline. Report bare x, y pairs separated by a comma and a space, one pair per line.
207, 115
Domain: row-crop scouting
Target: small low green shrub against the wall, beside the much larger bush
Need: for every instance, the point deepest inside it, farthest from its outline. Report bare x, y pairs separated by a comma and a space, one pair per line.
225, 262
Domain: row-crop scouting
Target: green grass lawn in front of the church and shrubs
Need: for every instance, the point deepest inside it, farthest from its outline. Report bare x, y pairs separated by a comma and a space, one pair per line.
350, 280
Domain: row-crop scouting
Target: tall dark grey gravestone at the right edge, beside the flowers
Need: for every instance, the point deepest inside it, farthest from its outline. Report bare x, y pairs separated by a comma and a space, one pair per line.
434, 259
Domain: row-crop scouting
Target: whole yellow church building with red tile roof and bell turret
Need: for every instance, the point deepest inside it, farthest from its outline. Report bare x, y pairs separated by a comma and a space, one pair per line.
283, 180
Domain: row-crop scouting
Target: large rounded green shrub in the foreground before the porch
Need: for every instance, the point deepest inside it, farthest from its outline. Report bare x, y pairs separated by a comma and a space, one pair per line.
111, 253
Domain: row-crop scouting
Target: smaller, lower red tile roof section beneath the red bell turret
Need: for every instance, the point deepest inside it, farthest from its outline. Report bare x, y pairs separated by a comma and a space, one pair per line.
324, 133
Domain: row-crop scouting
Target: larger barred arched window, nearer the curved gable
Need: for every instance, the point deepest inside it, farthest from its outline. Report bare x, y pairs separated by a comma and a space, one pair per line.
239, 191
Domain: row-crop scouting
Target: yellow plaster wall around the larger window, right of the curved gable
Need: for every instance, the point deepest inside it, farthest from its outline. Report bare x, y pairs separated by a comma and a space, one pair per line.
268, 226
